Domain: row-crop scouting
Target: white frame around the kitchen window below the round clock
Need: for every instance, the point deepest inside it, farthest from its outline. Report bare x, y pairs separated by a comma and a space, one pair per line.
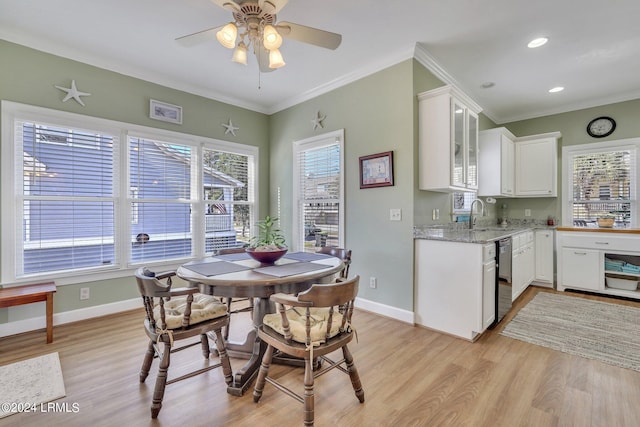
568, 152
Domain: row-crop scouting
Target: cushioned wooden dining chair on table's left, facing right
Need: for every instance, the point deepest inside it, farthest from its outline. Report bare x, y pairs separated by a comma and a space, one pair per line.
173, 315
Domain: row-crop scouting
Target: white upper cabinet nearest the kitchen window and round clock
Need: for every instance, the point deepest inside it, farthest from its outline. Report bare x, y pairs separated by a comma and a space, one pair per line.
536, 165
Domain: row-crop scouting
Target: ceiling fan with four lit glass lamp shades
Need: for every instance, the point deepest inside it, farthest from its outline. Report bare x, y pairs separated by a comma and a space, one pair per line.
254, 26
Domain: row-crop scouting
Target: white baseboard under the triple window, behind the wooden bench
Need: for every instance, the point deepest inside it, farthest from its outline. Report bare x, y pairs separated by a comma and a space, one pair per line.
35, 323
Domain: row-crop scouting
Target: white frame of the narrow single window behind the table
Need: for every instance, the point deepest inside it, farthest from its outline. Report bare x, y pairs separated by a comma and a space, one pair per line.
318, 141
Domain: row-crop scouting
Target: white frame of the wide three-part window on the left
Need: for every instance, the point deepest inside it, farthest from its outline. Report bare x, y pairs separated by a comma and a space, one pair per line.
11, 218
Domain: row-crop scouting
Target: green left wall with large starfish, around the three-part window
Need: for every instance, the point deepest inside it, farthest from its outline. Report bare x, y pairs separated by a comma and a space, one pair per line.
28, 76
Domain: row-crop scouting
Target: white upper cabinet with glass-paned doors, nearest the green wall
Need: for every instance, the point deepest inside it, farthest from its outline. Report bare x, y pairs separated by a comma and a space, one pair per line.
448, 148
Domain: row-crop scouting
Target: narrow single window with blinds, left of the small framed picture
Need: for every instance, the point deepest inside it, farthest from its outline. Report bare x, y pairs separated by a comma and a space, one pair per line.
318, 192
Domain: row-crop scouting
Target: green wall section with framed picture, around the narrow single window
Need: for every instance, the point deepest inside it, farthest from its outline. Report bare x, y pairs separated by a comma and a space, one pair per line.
377, 114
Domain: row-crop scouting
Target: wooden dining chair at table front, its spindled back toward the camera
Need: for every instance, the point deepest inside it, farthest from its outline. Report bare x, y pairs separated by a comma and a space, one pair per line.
309, 326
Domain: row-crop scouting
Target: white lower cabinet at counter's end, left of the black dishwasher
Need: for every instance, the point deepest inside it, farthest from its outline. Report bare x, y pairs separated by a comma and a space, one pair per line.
454, 286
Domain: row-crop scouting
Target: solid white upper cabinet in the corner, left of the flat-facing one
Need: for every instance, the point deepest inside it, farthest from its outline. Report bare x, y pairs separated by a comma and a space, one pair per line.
496, 163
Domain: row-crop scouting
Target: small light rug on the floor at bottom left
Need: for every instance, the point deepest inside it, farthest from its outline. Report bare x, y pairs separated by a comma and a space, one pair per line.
30, 382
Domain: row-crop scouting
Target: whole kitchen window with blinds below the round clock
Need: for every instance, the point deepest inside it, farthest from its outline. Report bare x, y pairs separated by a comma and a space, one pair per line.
600, 180
